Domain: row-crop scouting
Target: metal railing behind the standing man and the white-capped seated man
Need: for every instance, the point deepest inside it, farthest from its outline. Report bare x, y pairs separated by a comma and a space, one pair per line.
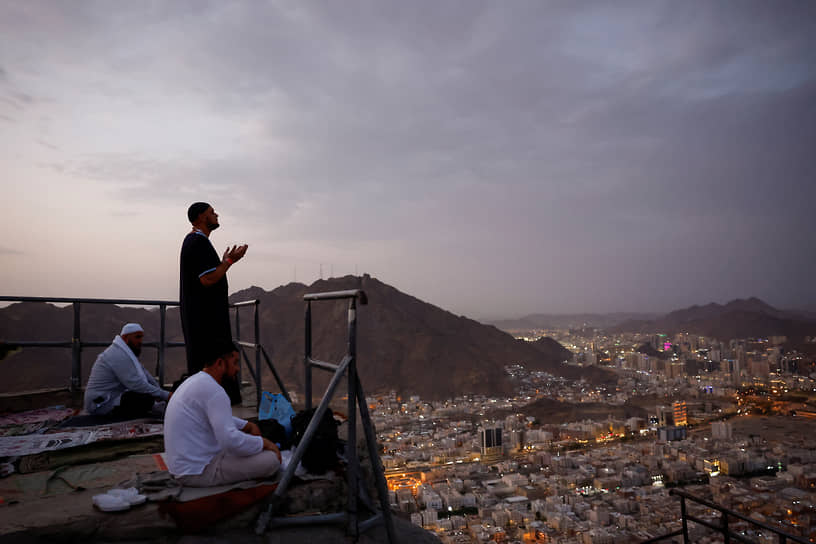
77, 344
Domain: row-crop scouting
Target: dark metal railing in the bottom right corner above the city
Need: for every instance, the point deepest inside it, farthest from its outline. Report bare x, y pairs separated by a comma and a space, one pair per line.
723, 527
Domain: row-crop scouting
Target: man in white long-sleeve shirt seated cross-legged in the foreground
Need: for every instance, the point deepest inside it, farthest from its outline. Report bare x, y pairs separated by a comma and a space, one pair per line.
205, 445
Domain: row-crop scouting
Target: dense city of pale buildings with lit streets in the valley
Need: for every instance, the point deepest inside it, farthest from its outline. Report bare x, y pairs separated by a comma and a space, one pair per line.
732, 423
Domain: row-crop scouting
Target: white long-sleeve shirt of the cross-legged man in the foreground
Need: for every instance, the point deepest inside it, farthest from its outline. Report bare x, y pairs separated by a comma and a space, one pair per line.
198, 424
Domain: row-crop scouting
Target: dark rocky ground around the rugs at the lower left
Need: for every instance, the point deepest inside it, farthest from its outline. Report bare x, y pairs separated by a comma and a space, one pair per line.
55, 505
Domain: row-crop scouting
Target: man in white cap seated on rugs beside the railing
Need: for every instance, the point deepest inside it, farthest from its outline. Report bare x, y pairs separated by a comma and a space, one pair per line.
119, 385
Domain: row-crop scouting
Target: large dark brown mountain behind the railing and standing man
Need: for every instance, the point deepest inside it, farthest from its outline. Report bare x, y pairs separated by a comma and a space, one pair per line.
403, 343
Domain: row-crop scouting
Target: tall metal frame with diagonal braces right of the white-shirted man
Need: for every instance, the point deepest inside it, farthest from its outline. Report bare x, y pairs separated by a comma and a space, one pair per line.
357, 494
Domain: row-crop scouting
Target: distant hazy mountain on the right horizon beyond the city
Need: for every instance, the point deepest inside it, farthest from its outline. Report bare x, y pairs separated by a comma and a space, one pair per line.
741, 318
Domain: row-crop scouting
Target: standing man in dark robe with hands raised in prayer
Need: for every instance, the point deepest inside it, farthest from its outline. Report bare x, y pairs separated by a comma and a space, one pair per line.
203, 293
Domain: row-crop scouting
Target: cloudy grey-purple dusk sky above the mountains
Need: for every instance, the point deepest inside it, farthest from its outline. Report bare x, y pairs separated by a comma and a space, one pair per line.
493, 158
